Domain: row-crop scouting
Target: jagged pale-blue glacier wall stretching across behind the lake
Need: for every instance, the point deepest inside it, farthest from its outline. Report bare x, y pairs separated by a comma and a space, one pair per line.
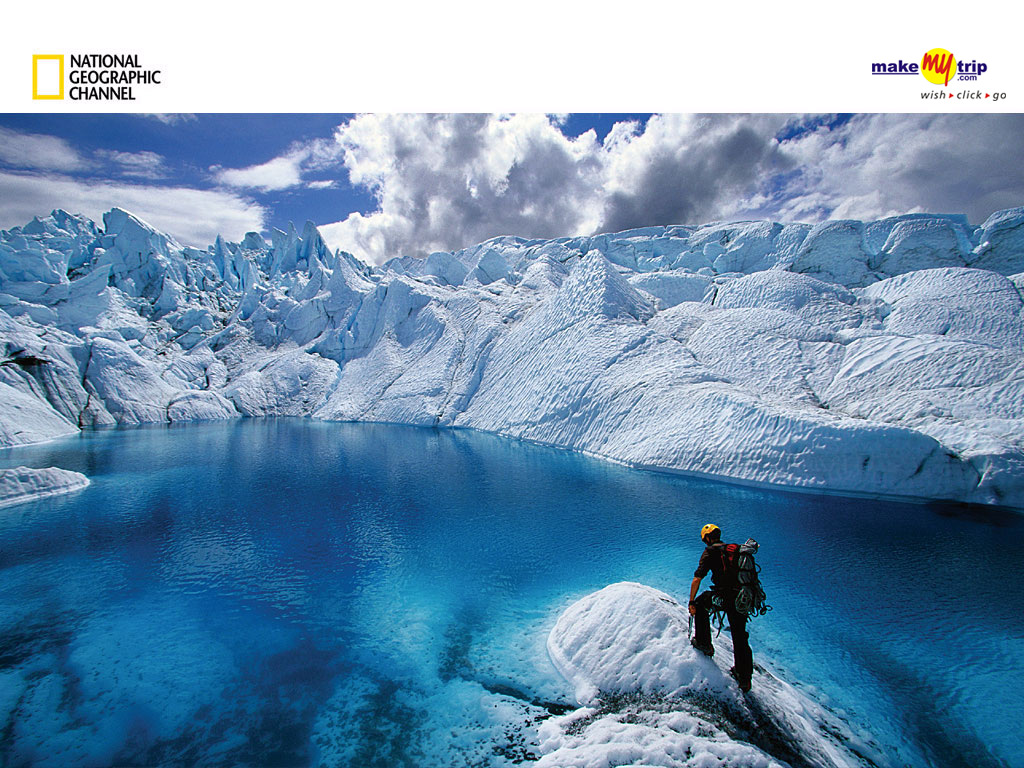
881, 358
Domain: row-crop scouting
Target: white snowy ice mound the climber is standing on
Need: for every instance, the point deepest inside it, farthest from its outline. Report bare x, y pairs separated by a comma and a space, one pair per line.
651, 700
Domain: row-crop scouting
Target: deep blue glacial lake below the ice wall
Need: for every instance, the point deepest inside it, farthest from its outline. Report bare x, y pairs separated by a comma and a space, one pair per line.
294, 593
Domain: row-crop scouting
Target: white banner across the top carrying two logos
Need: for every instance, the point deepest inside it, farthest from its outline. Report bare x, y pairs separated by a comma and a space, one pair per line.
528, 57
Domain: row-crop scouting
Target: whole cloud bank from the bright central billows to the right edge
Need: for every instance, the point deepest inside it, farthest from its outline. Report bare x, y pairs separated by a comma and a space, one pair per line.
449, 182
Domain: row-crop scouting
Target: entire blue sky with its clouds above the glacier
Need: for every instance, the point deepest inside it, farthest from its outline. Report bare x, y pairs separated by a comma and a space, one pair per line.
383, 186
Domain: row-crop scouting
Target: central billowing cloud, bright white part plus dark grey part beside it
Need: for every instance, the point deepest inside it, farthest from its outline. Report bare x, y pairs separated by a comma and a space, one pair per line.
448, 182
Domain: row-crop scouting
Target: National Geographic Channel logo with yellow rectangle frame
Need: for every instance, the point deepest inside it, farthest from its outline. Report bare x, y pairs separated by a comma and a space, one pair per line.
91, 77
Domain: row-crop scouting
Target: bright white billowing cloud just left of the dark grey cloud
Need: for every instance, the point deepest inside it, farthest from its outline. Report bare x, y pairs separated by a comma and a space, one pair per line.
444, 182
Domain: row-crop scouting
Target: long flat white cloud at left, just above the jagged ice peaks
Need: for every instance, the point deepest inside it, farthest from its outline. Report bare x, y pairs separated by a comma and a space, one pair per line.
192, 217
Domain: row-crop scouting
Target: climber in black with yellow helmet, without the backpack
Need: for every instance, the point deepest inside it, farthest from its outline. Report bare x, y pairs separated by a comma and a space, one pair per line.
722, 598
